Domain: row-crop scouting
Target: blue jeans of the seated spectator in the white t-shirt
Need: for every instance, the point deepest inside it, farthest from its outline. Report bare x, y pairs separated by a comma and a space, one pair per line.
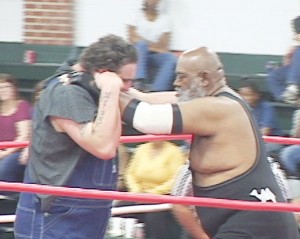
164, 64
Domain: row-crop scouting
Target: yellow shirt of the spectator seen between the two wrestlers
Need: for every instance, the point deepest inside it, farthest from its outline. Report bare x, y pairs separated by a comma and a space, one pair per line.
152, 171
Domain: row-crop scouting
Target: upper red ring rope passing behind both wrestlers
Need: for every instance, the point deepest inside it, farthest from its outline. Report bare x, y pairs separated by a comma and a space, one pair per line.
143, 138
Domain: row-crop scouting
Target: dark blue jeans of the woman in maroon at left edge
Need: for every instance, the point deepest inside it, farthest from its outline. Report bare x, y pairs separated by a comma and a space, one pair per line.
10, 168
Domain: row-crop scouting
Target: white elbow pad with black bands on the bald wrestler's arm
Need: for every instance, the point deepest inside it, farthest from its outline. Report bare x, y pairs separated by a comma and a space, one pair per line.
153, 118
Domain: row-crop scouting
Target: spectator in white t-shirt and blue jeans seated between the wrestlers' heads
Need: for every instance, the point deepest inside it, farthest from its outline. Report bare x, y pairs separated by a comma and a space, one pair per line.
150, 32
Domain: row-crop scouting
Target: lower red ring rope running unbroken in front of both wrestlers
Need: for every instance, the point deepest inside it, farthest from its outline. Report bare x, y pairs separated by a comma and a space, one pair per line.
151, 198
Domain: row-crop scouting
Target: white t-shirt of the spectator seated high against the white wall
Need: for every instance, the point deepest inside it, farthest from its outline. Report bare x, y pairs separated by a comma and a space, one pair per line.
151, 30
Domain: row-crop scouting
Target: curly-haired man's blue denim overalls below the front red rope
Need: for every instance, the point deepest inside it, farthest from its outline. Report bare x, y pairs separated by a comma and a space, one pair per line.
66, 219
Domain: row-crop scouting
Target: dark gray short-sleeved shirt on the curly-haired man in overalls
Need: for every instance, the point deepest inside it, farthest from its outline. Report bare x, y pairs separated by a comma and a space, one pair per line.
53, 156
